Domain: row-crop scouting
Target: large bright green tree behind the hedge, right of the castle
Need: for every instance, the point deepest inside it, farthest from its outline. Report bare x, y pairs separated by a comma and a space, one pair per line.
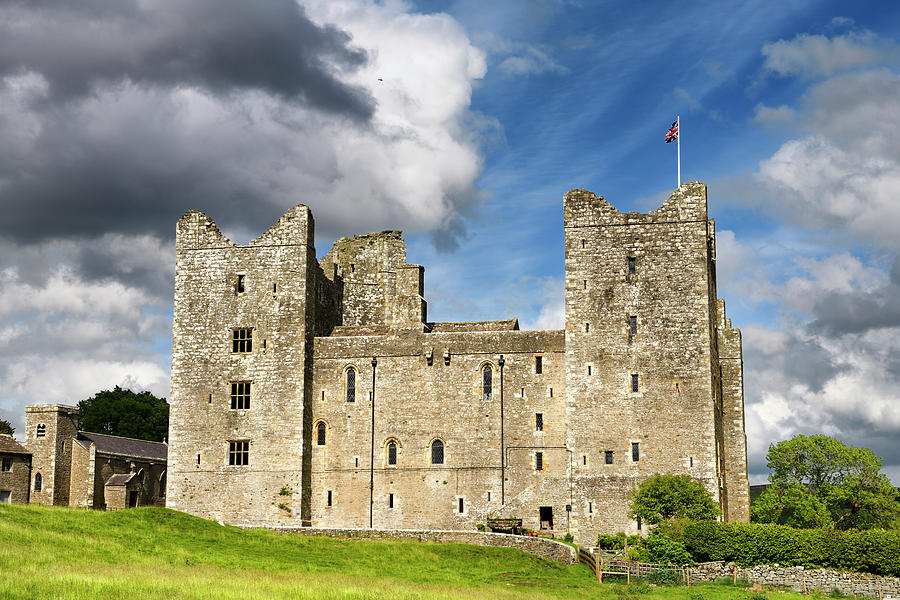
818, 481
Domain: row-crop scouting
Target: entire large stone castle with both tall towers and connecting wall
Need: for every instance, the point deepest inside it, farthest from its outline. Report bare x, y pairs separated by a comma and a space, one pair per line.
317, 392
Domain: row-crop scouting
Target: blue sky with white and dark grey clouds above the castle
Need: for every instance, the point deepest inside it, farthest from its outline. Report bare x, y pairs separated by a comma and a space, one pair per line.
462, 123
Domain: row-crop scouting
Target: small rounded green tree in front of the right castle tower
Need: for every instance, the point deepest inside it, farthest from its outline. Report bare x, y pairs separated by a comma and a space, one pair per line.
664, 497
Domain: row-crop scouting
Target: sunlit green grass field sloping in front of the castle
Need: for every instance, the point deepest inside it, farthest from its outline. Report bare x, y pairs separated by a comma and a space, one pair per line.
58, 553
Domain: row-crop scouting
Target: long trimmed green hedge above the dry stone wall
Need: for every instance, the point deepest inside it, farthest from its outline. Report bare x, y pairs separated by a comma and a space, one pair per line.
748, 544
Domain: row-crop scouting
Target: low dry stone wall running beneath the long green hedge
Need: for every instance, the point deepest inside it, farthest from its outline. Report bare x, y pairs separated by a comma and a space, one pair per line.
802, 580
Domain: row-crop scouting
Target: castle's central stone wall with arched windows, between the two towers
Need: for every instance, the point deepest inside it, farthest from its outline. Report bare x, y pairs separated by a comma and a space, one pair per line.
416, 403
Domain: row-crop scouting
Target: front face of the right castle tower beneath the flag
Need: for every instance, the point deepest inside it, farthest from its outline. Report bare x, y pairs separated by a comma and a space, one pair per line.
671, 416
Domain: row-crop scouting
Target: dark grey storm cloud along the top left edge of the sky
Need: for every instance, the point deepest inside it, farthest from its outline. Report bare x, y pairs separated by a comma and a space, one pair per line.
220, 45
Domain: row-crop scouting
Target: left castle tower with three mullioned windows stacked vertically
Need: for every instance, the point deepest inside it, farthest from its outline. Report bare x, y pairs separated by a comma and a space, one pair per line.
278, 299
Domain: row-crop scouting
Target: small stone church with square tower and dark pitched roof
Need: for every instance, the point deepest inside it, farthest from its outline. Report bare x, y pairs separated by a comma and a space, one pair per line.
90, 470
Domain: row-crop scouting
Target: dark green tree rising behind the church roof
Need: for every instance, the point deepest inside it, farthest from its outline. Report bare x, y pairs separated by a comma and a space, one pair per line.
125, 413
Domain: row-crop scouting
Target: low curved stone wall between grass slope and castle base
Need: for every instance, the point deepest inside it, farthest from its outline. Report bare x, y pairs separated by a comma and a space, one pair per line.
543, 547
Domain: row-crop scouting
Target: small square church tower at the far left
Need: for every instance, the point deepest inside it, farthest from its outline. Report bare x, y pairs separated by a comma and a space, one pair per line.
50, 430
